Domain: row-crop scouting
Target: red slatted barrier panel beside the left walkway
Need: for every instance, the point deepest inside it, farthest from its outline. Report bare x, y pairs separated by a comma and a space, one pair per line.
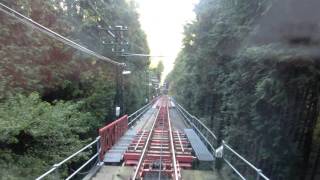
111, 133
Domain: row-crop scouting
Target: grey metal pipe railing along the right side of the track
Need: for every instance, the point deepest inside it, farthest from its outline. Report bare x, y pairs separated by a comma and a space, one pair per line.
210, 140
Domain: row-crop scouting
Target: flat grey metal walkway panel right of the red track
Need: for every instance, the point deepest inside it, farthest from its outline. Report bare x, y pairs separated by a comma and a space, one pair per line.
199, 148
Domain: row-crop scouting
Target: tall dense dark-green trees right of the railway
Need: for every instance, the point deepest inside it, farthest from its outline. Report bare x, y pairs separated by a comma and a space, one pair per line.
255, 82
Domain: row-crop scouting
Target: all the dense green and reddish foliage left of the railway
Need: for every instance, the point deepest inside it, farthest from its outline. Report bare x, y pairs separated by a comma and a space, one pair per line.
52, 97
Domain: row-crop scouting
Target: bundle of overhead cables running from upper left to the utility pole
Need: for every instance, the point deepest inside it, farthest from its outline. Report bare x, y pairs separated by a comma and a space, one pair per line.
28, 21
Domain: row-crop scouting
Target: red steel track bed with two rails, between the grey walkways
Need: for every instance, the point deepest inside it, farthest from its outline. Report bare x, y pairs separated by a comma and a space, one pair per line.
160, 151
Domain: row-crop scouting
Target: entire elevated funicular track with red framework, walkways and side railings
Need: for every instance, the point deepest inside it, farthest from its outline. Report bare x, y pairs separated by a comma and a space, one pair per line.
162, 150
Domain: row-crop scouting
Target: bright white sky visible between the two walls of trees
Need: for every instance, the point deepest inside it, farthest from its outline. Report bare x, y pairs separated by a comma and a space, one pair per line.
163, 22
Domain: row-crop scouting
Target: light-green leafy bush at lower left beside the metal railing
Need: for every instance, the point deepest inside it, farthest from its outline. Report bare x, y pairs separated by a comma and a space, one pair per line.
34, 134
